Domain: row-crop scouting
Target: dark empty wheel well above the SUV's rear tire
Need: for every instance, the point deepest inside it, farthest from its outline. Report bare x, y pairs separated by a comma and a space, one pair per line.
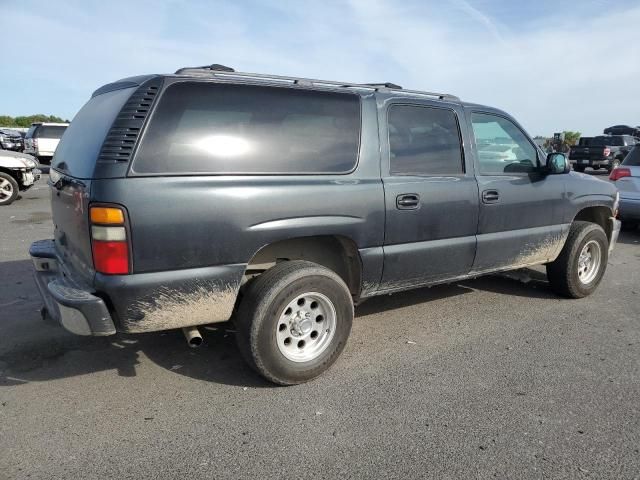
337, 253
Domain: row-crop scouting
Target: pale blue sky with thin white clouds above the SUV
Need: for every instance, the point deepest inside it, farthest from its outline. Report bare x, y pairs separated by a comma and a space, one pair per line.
554, 65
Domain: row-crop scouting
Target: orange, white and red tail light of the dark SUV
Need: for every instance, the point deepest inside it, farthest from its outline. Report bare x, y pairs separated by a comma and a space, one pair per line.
109, 241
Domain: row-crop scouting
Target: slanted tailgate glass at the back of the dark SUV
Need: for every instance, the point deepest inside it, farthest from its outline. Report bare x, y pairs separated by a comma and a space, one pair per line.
79, 148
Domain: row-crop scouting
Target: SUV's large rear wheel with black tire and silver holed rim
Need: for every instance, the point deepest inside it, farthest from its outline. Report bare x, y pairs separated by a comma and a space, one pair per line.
263, 314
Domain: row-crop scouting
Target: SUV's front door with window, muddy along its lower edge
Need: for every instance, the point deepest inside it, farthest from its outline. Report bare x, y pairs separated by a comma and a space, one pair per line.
520, 220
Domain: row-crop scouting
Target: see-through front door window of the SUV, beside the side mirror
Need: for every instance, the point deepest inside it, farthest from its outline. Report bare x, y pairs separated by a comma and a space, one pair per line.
501, 146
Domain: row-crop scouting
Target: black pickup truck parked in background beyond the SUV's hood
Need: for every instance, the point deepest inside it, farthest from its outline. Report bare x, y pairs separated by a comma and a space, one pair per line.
603, 151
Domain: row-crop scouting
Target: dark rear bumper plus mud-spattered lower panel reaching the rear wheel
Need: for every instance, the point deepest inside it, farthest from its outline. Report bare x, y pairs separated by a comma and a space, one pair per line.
143, 302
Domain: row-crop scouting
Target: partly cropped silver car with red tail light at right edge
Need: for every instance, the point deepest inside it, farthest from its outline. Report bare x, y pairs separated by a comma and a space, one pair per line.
627, 179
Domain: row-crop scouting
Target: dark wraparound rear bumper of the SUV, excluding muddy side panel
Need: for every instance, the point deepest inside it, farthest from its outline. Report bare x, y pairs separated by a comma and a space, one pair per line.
77, 310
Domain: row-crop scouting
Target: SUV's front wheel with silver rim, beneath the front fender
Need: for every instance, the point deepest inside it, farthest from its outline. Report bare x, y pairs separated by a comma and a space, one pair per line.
565, 274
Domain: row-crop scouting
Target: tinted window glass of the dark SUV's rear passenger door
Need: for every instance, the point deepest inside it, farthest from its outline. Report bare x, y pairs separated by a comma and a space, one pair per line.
424, 141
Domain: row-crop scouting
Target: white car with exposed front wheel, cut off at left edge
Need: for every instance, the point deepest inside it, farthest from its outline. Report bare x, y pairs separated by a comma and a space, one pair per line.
18, 172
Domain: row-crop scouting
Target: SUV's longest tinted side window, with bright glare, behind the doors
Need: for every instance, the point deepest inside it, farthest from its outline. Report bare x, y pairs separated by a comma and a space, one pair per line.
244, 129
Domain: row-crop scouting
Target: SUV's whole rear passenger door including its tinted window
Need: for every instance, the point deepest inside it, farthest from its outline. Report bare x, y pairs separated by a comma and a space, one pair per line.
431, 196
